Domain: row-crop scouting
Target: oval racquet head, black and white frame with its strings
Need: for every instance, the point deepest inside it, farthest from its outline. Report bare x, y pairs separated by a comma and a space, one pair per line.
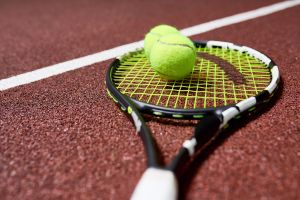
224, 75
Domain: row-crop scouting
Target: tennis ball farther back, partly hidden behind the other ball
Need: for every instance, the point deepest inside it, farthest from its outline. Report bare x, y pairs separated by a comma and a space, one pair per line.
154, 35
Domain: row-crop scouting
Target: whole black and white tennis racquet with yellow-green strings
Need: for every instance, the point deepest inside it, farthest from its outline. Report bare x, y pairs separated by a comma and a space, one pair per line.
228, 80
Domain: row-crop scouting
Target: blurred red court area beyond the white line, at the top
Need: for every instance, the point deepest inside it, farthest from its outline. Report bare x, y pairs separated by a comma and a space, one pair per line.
35, 34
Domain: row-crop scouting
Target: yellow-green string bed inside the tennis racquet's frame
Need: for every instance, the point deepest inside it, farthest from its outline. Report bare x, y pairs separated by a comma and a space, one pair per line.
207, 86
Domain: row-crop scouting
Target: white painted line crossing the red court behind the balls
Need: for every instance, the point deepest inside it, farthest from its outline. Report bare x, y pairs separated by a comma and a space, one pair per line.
77, 63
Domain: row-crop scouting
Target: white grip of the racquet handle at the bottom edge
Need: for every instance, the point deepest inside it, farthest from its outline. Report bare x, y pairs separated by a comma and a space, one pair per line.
156, 184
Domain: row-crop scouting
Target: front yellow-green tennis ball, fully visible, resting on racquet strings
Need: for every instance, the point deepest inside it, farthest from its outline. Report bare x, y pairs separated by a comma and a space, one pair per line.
173, 57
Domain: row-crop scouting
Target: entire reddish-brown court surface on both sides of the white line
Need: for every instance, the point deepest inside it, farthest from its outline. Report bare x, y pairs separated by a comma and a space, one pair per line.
62, 137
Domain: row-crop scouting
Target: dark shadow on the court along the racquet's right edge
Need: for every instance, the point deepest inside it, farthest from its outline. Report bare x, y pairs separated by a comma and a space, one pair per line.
186, 176
